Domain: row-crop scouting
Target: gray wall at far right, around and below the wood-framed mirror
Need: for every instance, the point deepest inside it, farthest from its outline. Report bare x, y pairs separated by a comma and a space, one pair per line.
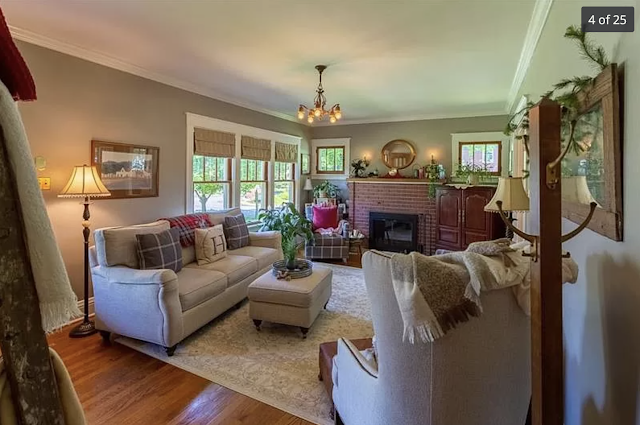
602, 311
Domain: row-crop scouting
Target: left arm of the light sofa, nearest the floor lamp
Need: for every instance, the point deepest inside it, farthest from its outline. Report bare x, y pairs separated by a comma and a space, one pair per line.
141, 304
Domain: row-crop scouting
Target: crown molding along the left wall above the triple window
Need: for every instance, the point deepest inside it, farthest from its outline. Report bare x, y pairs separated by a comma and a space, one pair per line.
111, 62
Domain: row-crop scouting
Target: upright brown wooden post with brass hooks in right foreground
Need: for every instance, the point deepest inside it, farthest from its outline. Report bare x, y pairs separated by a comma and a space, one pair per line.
545, 220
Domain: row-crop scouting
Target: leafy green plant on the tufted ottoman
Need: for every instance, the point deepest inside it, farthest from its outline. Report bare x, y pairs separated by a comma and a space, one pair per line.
294, 227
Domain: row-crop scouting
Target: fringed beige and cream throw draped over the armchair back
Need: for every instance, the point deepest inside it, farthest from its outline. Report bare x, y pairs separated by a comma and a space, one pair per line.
436, 293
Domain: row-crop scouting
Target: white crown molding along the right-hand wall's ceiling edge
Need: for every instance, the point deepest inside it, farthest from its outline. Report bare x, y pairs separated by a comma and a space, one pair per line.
541, 11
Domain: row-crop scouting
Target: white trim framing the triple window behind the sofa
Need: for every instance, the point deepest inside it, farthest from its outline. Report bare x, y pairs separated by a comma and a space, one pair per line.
201, 121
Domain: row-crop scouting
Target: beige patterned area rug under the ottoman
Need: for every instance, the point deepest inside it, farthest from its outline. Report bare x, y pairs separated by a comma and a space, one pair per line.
275, 366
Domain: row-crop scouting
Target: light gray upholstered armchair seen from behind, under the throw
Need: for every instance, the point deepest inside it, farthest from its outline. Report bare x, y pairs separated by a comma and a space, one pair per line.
477, 374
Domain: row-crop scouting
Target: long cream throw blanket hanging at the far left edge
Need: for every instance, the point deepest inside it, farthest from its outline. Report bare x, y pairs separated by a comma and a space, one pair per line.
58, 303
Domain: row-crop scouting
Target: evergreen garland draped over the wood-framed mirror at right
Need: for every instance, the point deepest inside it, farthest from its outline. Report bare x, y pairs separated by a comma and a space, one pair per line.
568, 97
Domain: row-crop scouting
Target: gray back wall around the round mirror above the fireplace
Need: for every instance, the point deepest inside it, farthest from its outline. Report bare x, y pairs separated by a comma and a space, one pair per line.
427, 136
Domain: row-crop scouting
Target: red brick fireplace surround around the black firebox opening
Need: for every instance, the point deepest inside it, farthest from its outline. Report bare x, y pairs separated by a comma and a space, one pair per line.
395, 197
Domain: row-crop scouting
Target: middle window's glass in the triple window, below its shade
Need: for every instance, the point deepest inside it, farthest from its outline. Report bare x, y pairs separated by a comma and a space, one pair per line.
253, 187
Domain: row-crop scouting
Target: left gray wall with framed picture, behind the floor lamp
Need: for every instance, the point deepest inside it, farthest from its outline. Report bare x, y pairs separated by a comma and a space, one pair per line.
79, 101
